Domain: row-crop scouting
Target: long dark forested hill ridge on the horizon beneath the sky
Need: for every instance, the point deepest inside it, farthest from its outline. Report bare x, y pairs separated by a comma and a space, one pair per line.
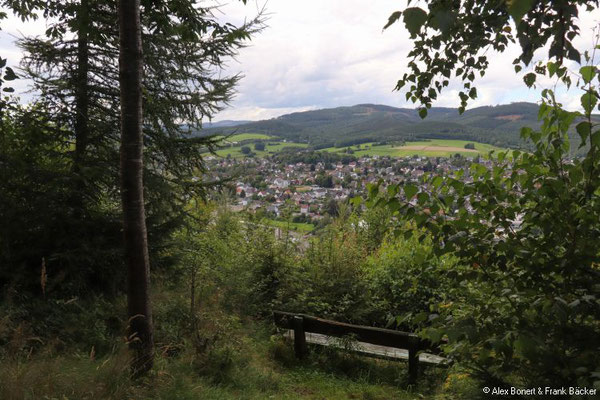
342, 126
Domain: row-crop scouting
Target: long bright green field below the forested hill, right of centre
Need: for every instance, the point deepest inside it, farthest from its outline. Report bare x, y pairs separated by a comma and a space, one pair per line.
430, 148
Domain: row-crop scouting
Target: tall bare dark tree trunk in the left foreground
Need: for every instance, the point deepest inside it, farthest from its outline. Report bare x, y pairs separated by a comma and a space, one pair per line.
132, 188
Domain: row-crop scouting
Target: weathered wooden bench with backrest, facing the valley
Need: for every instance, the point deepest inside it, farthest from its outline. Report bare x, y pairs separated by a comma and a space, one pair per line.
371, 341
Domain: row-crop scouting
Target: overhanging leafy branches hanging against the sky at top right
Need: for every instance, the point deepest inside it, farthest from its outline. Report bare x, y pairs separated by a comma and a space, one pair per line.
442, 46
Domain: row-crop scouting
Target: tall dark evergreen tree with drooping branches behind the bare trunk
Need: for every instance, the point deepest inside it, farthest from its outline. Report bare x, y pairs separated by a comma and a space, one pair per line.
75, 71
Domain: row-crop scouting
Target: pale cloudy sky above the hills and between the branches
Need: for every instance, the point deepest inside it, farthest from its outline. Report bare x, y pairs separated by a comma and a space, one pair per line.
317, 54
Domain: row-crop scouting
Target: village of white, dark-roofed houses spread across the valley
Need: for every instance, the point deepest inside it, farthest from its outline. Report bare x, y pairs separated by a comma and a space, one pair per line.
308, 192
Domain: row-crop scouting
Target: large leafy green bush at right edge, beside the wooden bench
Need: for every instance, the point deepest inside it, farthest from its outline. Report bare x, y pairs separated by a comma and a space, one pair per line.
522, 306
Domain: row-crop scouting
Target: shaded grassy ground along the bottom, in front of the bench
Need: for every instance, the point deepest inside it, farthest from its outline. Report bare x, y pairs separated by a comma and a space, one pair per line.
261, 367
